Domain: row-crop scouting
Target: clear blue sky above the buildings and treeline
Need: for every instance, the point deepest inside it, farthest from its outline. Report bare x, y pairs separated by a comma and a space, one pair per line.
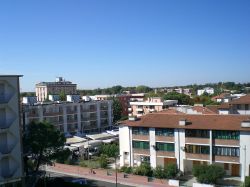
101, 43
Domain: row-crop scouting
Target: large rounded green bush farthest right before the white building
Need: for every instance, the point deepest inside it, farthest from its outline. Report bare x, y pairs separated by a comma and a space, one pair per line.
208, 174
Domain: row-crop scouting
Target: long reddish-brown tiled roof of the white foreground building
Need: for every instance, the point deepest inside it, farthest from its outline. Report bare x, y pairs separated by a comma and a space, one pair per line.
213, 122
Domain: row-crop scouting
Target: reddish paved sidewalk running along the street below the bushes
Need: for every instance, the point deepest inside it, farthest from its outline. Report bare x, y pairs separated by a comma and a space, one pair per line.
101, 175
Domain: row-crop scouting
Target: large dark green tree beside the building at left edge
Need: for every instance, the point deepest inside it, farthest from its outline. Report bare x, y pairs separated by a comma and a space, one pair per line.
43, 142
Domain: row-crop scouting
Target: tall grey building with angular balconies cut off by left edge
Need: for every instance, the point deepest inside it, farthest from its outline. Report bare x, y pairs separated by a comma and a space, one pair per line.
11, 165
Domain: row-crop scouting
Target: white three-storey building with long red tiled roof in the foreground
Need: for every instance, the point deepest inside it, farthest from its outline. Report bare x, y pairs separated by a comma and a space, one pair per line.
187, 140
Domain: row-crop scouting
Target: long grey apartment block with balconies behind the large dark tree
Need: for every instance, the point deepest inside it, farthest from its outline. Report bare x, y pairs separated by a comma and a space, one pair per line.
73, 118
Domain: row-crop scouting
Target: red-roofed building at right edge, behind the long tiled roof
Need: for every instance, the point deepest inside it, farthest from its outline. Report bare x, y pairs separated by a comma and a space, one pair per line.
237, 106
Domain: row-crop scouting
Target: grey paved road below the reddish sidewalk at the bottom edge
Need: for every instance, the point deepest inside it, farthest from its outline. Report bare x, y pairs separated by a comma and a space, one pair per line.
92, 183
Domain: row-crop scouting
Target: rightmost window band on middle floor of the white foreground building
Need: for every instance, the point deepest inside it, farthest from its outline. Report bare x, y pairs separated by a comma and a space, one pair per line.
226, 151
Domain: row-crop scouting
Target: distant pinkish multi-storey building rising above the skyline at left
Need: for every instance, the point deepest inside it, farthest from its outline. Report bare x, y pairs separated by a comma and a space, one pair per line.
43, 89
